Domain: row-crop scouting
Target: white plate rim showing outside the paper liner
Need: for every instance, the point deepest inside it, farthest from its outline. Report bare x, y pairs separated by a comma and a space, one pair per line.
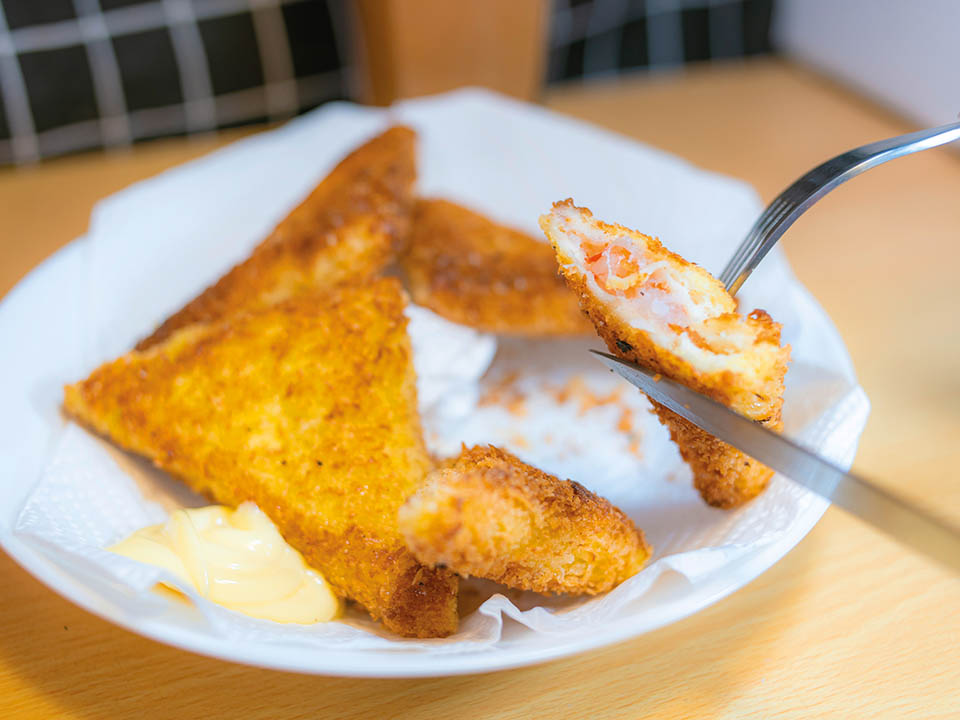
376, 663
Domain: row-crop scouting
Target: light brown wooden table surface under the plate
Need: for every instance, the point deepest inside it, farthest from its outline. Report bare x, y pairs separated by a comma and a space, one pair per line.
847, 625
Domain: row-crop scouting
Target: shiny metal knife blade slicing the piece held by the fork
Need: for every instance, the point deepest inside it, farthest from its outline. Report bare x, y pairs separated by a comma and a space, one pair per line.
899, 518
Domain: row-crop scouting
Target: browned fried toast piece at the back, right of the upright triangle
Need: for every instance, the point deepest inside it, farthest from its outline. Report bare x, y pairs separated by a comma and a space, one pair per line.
473, 271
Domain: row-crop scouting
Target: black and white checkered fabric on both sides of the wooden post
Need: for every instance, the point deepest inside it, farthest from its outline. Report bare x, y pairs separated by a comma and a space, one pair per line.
81, 74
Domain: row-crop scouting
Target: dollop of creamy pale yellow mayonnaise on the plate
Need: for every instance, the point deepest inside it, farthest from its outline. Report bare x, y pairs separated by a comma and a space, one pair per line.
236, 558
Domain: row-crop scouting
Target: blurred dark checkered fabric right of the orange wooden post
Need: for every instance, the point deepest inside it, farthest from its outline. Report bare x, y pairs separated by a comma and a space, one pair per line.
593, 38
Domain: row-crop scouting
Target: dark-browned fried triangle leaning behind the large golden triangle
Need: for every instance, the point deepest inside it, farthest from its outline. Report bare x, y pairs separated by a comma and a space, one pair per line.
348, 229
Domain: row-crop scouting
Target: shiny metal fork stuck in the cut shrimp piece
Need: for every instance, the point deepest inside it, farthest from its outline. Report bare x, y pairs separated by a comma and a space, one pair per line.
795, 200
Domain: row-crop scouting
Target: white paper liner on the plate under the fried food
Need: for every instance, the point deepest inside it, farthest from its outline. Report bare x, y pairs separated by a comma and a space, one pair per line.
154, 245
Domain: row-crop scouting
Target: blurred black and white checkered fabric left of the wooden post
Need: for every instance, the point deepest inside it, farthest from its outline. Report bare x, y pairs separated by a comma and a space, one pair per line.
79, 74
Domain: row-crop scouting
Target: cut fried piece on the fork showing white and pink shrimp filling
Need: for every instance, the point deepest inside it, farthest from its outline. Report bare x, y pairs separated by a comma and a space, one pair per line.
654, 308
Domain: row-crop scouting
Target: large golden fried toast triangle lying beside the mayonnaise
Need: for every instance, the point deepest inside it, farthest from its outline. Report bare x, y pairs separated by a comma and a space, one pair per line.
308, 409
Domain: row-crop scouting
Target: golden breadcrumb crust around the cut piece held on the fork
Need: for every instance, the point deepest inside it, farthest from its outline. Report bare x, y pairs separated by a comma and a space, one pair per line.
724, 476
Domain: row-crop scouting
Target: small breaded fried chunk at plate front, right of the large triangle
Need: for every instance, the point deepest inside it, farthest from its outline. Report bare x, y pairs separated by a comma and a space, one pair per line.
490, 515
